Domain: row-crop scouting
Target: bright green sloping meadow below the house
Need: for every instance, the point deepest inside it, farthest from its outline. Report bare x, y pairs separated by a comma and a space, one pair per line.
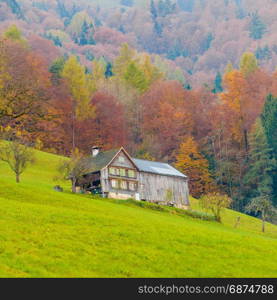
48, 234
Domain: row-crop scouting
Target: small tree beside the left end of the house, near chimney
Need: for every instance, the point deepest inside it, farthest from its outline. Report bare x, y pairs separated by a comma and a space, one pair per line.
73, 169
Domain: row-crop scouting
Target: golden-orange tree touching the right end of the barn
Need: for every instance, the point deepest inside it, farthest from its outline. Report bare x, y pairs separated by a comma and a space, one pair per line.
195, 166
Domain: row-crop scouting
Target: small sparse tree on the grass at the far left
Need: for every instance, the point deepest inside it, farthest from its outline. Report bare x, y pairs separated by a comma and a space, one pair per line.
18, 157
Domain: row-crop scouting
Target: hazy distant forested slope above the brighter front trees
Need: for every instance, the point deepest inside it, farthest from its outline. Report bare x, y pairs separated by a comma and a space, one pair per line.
199, 36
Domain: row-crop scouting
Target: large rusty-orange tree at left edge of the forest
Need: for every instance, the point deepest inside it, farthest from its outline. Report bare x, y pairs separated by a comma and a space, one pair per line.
24, 90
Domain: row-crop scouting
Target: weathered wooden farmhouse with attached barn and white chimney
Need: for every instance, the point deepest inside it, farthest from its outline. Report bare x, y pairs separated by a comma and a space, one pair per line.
115, 174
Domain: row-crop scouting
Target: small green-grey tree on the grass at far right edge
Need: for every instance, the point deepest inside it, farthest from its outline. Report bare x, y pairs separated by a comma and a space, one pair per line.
263, 206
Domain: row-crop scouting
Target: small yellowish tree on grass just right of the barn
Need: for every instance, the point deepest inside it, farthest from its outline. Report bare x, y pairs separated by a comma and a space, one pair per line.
216, 202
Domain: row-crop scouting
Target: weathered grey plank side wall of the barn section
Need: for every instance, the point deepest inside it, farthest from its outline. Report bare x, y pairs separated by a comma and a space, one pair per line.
154, 187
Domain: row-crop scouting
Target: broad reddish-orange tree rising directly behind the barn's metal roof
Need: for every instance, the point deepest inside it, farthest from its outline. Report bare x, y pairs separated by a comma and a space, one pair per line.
166, 117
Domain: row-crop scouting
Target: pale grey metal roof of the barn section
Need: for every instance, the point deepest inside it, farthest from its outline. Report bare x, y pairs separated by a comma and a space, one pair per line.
157, 168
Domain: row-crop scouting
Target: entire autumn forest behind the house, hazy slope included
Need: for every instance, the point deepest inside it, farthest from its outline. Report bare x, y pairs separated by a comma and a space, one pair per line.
191, 82
